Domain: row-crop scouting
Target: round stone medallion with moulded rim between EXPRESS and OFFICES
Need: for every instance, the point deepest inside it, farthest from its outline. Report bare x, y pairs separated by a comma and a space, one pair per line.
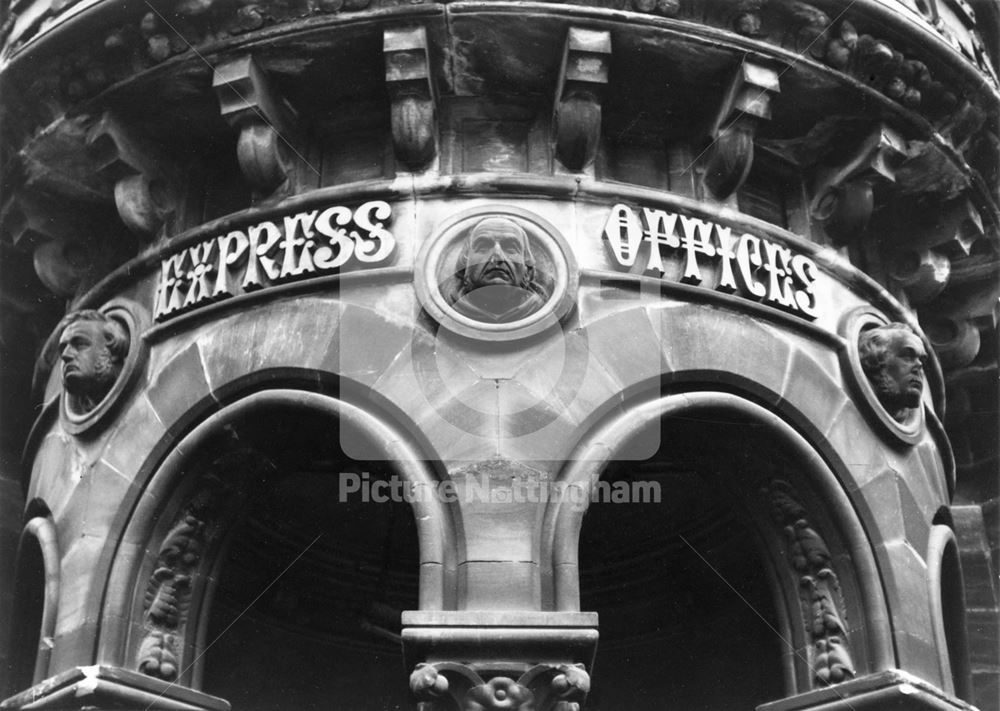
496, 273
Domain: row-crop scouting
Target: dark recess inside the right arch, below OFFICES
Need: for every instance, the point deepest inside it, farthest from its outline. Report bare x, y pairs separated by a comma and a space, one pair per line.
683, 585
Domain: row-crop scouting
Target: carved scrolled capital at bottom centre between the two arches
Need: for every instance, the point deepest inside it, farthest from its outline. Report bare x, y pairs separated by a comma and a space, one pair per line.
447, 685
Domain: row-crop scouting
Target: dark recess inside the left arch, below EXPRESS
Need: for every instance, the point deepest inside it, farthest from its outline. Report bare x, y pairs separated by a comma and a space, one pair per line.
314, 577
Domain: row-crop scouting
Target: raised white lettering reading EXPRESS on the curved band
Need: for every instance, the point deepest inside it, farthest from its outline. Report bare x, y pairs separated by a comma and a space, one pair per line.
305, 244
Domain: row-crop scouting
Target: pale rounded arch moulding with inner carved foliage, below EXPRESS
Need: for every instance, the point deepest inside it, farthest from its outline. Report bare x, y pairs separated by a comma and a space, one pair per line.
175, 513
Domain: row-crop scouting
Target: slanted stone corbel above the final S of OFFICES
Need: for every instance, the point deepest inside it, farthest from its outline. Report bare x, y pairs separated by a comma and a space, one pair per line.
843, 197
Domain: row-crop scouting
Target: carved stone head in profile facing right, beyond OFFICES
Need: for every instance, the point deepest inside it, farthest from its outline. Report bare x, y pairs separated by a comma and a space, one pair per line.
893, 358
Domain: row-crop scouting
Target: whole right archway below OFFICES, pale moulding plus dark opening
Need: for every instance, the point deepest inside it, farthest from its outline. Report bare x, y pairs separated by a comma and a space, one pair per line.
749, 581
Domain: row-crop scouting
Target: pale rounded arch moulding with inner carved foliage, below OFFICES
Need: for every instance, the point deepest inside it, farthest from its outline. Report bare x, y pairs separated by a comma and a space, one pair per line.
857, 565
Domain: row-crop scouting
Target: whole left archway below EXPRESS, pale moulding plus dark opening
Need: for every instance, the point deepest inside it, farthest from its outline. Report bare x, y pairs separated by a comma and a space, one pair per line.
264, 578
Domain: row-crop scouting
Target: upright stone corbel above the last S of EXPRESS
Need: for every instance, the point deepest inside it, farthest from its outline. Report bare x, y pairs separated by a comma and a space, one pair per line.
411, 95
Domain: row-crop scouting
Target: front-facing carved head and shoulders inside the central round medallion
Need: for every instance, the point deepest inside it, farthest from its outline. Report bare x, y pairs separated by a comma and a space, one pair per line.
495, 278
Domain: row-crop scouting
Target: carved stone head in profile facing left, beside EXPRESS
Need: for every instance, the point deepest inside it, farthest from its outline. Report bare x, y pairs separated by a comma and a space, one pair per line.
92, 348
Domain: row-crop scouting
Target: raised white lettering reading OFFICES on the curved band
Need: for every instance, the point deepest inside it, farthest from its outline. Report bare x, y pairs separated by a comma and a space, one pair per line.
701, 251
